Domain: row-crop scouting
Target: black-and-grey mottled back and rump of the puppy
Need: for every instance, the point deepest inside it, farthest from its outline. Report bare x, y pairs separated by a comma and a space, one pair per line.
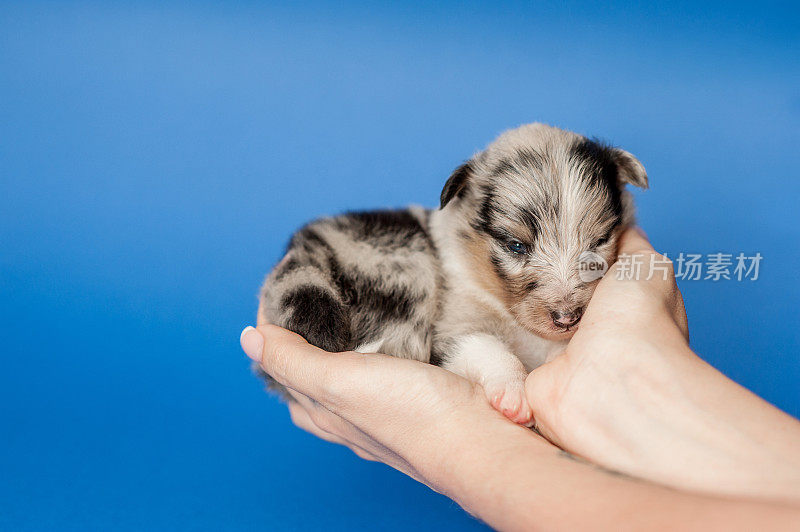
365, 281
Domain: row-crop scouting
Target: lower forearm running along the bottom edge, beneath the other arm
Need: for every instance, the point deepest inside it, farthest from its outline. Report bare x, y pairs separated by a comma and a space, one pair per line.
515, 480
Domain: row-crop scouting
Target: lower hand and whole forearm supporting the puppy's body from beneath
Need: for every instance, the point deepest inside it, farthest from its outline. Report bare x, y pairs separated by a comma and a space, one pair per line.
439, 429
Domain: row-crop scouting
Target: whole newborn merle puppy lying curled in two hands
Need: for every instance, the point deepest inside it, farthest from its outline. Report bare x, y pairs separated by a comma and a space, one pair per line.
487, 286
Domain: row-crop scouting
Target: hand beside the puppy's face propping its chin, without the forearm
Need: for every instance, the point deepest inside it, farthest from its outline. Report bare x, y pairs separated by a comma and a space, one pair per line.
633, 329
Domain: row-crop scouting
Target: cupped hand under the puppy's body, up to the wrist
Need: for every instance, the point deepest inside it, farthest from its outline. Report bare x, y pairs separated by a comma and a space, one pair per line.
405, 413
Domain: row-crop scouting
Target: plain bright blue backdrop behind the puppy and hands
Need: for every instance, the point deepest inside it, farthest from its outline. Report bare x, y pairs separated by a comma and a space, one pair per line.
154, 160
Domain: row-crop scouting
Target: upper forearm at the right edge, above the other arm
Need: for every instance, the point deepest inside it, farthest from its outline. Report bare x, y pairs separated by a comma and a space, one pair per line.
727, 439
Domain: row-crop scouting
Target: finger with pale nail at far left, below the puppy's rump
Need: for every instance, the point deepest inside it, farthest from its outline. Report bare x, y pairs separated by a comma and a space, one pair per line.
290, 360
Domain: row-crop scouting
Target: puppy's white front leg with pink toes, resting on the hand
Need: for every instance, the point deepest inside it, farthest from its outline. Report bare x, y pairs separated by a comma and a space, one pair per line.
485, 359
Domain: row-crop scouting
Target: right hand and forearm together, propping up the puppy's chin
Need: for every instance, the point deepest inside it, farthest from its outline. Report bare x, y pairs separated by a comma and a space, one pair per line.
629, 394
